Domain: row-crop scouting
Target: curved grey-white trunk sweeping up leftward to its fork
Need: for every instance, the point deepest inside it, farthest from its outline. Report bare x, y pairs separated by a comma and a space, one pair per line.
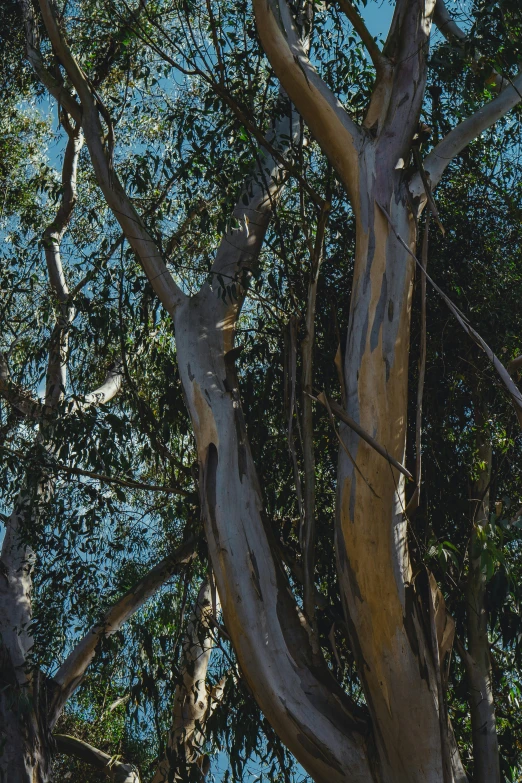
293, 688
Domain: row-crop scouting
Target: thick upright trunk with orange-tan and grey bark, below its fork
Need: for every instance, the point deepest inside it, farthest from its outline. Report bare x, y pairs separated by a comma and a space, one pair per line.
390, 636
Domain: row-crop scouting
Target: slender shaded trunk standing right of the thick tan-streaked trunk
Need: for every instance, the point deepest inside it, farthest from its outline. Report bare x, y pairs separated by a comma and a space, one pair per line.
486, 766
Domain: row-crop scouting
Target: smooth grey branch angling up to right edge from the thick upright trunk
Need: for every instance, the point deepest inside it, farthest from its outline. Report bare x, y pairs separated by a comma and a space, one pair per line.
457, 139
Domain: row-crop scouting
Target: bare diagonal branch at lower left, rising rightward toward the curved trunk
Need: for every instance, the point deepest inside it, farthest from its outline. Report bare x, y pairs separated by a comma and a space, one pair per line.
72, 671
